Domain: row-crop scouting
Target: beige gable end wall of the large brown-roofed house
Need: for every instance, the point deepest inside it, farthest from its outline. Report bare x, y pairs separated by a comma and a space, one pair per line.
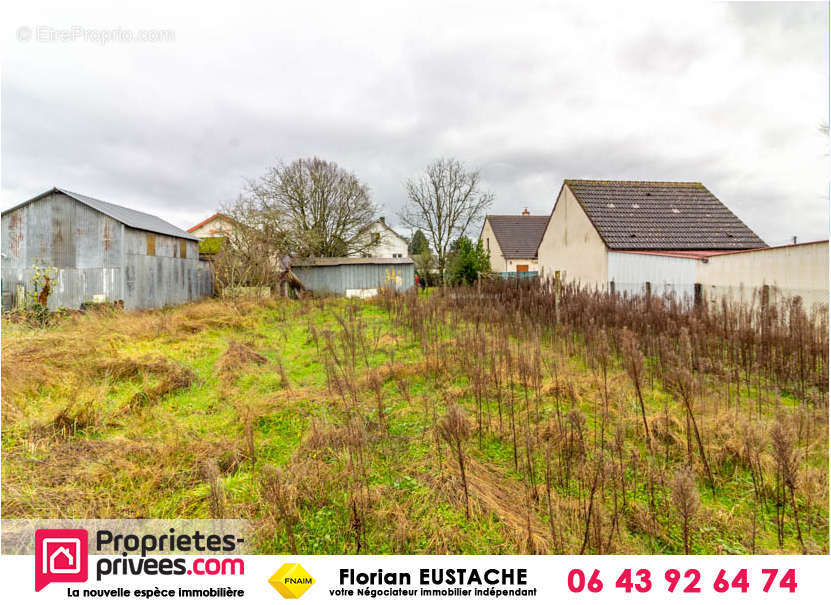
572, 246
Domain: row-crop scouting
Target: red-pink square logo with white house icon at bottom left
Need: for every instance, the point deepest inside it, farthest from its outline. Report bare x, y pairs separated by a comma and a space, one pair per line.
60, 556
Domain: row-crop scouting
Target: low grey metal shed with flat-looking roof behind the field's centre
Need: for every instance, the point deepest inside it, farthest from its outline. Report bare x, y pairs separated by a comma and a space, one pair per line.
360, 277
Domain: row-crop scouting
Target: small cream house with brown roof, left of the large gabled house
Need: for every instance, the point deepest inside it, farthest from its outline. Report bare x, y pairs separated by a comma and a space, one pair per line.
511, 241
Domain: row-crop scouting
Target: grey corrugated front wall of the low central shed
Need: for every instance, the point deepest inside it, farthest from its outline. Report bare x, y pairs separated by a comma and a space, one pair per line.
337, 279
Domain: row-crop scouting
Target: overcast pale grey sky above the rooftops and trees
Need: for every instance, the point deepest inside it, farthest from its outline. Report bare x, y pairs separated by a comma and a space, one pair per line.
731, 95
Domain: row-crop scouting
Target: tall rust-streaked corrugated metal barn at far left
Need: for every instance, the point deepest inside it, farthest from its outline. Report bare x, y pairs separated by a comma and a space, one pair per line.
100, 251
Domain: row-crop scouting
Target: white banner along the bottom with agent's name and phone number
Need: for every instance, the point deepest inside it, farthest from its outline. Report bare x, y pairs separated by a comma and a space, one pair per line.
428, 579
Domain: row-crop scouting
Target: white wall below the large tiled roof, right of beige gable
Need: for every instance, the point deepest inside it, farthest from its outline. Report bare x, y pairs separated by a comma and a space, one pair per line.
666, 274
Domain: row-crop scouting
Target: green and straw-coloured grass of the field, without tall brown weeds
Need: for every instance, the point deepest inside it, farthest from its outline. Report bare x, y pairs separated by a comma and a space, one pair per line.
119, 461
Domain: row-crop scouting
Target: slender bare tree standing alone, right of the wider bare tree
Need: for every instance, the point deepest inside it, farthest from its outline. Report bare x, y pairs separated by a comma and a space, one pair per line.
443, 203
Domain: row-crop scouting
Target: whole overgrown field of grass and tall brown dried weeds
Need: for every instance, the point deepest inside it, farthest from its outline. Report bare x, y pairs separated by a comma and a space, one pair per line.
506, 419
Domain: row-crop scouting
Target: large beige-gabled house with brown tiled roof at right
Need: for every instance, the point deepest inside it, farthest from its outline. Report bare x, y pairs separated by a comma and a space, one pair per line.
599, 231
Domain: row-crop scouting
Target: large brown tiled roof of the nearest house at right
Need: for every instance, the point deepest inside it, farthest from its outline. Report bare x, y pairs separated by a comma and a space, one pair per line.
643, 215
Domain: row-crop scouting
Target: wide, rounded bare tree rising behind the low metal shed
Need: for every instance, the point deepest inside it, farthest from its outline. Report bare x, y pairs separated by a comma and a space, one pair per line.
321, 209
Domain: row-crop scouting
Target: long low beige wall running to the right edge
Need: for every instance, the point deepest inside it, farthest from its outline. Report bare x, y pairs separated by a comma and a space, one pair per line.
800, 270
